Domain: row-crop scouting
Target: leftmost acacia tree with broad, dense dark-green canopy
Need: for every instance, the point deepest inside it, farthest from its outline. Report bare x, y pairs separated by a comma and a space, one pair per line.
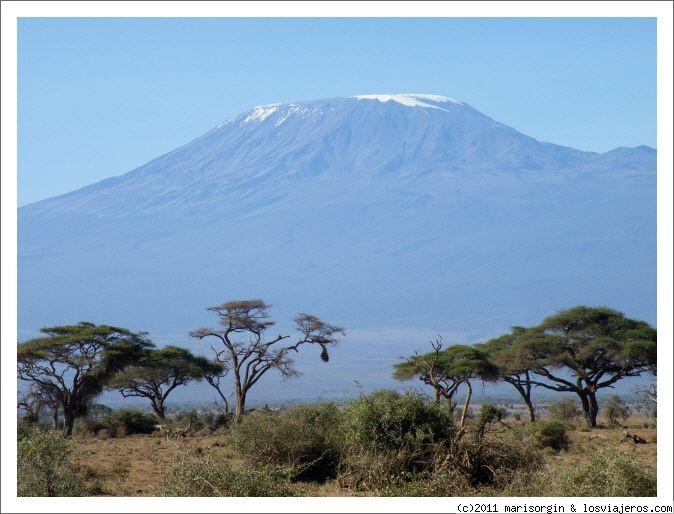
72, 364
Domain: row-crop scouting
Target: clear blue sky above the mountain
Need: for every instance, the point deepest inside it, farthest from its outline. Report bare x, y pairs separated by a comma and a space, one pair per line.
101, 96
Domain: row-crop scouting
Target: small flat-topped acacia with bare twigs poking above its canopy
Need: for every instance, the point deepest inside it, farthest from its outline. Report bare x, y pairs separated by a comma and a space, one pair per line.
445, 370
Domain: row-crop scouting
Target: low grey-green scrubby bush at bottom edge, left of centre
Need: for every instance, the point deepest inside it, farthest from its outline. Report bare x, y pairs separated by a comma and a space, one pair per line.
203, 476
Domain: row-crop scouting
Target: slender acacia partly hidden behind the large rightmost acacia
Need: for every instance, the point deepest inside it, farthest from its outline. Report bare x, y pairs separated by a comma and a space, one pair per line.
502, 352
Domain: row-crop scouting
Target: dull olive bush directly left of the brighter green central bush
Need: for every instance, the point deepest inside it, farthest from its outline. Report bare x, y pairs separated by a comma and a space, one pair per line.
304, 439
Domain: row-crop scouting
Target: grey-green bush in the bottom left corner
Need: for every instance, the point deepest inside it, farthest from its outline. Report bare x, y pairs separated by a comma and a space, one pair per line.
43, 465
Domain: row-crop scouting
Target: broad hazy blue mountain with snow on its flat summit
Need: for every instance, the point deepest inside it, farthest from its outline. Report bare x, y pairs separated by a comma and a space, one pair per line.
397, 216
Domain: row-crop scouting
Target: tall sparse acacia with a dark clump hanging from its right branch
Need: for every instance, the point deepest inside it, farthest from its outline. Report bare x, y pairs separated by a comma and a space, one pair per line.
249, 354
